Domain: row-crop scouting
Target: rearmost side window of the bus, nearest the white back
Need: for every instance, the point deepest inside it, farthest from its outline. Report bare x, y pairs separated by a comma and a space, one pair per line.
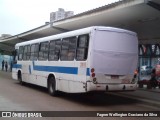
82, 47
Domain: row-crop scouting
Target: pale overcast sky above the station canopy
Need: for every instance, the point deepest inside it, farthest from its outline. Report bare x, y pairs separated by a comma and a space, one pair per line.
18, 16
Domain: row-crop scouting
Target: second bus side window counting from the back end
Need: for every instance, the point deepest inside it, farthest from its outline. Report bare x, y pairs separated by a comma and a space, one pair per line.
68, 49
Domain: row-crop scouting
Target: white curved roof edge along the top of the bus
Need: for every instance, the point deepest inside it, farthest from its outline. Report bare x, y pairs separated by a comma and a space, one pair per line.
75, 33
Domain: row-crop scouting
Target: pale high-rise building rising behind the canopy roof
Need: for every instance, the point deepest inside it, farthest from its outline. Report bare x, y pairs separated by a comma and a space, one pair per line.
60, 14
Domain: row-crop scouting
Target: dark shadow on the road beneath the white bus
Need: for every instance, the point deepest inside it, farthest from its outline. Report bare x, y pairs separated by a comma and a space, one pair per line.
90, 99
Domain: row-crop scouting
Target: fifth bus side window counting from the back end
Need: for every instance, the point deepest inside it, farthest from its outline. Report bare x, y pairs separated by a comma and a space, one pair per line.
34, 51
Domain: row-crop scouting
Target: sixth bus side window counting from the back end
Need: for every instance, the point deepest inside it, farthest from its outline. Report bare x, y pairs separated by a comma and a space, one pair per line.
26, 53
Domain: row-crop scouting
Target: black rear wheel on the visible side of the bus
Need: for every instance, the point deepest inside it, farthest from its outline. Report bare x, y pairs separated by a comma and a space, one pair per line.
52, 86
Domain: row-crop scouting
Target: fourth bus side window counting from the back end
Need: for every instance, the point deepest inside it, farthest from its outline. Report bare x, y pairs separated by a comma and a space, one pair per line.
43, 51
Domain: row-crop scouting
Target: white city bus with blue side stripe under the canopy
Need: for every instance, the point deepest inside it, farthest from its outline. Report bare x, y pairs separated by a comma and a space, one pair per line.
90, 59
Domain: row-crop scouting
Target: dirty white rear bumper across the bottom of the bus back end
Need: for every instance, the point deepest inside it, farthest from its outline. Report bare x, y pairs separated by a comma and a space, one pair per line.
110, 87
